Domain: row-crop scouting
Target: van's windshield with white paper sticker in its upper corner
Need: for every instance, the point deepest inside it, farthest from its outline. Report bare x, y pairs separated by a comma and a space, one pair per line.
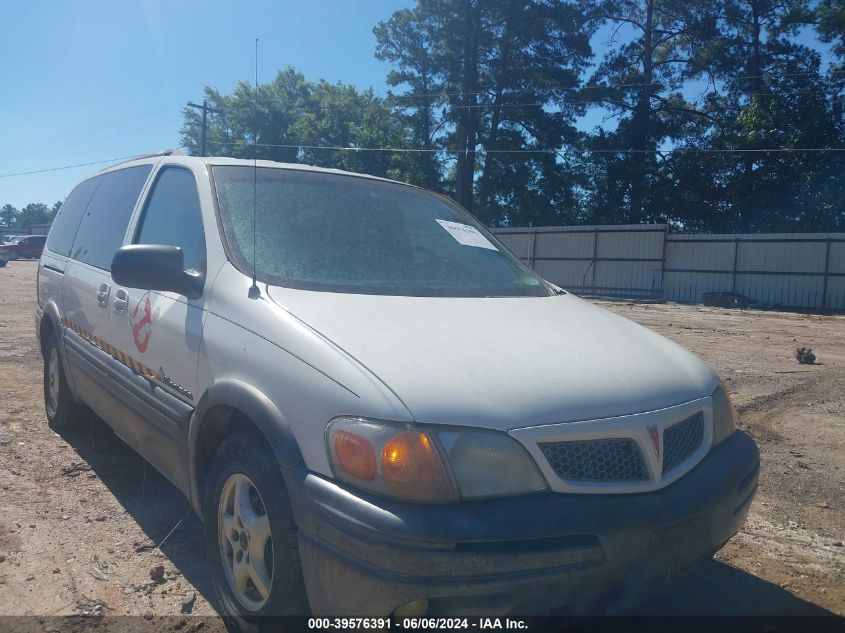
348, 234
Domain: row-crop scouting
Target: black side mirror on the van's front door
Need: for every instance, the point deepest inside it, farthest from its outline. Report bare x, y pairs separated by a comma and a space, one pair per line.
155, 267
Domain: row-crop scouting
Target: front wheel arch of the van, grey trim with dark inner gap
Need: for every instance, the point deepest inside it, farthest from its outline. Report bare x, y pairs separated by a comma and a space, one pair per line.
230, 406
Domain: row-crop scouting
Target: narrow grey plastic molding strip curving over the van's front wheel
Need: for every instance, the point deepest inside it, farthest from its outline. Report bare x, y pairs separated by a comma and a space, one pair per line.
256, 406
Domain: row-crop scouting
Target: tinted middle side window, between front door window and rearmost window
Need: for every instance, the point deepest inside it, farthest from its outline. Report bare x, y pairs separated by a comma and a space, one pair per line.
104, 223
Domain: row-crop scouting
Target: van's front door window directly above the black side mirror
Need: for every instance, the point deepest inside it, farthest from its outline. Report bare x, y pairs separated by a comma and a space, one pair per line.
173, 217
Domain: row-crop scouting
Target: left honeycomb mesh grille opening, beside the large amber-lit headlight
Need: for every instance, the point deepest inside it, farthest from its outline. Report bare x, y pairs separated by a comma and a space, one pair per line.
596, 460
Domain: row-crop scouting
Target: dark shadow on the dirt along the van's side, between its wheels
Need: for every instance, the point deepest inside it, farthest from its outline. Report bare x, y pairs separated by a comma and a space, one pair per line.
154, 503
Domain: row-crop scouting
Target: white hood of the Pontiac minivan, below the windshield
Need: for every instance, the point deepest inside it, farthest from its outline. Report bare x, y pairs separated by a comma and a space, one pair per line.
504, 363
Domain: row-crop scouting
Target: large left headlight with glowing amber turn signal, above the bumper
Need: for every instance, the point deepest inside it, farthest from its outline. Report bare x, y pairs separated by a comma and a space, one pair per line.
429, 465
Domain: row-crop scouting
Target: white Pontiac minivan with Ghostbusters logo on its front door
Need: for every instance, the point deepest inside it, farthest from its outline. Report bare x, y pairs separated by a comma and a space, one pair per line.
375, 408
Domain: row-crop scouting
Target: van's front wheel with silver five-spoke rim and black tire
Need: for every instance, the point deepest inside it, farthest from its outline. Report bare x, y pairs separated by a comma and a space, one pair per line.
242, 466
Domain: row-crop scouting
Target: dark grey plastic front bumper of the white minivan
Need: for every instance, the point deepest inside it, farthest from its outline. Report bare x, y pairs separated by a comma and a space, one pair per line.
532, 554
